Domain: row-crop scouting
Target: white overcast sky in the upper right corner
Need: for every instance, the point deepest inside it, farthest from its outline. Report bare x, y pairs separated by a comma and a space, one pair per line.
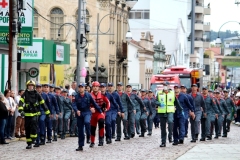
221, 12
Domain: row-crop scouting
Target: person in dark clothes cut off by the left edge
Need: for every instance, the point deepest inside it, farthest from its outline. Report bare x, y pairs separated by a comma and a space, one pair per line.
3, 119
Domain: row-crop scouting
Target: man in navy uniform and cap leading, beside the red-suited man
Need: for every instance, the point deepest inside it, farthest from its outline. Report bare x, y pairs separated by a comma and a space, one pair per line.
81, 106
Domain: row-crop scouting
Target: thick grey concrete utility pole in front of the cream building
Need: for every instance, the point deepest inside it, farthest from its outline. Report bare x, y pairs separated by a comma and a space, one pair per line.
80, 35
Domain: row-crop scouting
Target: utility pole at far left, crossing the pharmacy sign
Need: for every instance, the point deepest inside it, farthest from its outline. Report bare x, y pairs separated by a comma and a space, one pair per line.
14, 44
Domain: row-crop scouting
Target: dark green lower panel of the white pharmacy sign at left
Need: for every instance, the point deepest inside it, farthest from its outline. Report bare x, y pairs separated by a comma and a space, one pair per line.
24, 38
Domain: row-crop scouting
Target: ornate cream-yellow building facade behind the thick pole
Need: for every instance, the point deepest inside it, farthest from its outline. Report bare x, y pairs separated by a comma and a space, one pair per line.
112, 46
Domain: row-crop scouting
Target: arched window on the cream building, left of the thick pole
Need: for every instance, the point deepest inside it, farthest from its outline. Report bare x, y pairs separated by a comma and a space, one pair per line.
57, 17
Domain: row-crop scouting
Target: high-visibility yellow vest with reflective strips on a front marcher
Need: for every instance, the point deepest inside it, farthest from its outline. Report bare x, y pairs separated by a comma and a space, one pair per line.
166, 102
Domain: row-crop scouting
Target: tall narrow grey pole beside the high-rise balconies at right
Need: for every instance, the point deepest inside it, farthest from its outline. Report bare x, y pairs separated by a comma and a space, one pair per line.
193, 26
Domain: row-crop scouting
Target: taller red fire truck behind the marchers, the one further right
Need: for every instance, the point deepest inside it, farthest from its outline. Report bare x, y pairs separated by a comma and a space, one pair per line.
188, 76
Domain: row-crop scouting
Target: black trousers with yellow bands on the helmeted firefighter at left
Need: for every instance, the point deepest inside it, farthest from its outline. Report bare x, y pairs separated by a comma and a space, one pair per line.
31, 128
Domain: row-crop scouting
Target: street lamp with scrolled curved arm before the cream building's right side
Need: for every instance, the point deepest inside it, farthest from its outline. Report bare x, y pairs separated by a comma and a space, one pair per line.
128, 36
